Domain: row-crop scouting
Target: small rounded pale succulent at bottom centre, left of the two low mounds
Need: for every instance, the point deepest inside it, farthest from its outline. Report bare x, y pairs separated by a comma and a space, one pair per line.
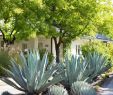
57, 90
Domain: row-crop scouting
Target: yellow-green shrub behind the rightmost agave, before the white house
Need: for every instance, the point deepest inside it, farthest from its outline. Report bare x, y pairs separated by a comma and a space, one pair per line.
105, 49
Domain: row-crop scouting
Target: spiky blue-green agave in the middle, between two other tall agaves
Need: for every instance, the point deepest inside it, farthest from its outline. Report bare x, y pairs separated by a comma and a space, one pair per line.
75, 70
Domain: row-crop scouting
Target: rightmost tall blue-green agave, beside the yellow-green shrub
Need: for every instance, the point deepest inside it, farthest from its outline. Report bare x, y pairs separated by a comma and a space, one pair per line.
97, 64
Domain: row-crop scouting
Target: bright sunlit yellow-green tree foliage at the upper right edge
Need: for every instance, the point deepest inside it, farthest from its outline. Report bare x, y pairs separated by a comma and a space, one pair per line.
104, 19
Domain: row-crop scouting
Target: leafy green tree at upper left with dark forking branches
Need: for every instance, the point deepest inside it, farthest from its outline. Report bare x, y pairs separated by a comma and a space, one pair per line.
13, 22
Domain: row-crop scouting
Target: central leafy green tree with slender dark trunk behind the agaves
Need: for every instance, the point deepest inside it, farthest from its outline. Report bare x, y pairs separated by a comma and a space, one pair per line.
68, 19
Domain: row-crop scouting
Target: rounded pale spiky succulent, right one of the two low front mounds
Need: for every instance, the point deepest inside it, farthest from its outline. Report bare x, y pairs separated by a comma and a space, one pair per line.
82, 88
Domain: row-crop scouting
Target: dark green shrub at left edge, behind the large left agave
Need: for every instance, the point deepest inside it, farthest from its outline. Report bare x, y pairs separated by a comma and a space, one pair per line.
4, 62
